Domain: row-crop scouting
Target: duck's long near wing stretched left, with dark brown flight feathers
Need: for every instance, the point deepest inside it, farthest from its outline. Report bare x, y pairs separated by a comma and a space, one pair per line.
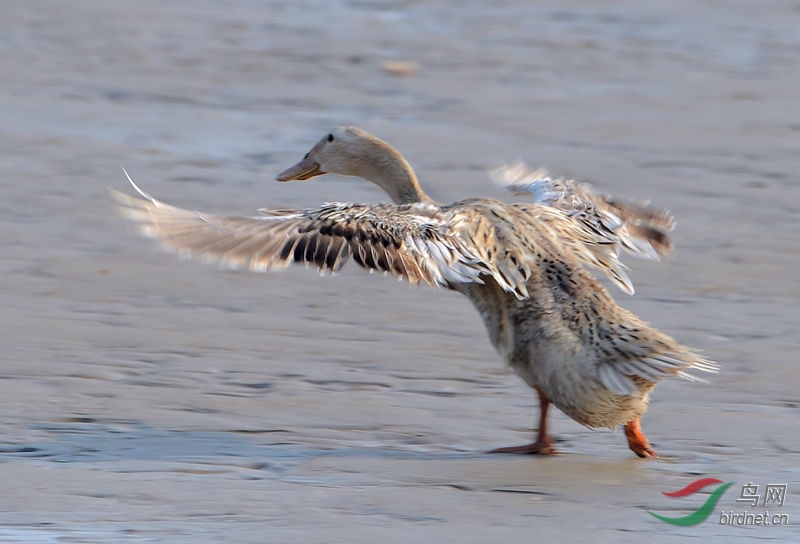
416, 242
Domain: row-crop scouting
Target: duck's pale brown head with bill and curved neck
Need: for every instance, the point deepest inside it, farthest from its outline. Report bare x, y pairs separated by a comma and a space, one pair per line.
350, 151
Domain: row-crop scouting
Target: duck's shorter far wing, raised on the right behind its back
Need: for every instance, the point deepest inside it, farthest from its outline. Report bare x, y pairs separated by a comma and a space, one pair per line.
601, 226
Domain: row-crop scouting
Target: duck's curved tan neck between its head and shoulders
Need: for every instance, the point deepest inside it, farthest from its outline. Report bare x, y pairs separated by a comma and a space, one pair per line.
390, 171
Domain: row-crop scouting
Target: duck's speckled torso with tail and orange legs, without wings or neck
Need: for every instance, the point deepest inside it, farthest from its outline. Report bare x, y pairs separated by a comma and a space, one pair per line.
570, 341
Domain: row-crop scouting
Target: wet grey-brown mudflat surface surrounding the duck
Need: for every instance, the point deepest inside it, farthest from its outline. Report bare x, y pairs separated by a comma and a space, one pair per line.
148, 399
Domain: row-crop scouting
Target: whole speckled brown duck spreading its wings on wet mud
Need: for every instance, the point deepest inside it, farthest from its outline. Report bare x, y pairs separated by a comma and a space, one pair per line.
528, 268
